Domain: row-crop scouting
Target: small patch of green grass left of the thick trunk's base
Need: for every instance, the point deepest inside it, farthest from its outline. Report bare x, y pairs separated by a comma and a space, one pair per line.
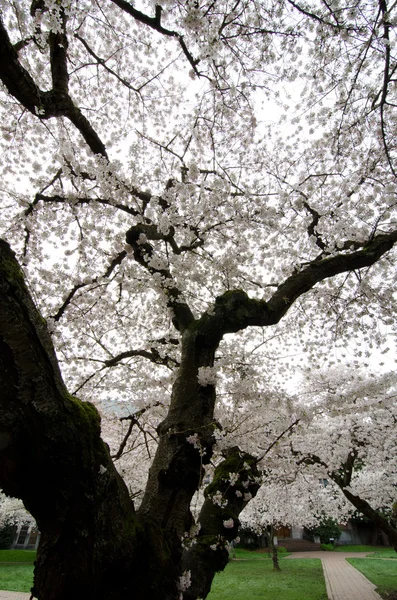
16, 577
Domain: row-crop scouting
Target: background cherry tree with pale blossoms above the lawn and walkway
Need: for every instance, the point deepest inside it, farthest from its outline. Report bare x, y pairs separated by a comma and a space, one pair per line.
344, 458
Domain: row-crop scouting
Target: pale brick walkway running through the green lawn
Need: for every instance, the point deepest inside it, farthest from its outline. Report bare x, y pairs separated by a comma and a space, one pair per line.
343, 581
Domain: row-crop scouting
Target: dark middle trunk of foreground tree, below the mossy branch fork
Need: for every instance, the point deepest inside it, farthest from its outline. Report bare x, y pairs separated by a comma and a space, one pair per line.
176, 471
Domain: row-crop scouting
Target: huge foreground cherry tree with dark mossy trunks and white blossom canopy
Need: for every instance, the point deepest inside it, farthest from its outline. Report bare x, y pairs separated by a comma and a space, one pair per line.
174, 173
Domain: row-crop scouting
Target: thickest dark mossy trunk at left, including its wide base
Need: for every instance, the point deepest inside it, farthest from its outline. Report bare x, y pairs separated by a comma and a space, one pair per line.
92, 545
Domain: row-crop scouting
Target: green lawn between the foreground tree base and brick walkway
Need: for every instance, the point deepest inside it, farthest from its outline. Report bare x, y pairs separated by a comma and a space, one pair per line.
251, 576
